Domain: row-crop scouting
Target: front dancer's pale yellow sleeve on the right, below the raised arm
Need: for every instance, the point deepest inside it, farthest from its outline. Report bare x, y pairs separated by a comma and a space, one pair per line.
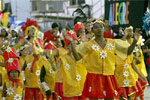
121, 48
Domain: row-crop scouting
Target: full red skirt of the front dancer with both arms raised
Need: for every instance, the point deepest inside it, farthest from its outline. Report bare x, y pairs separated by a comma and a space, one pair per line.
99, 86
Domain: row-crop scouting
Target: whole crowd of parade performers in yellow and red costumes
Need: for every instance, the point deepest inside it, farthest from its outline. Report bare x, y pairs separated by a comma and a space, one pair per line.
83, 63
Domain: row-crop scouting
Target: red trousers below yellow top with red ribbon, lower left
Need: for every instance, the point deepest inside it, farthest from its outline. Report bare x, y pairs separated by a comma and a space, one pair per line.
31, 93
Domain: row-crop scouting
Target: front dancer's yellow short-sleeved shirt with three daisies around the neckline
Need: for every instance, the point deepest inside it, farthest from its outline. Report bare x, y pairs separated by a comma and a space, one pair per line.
102, 61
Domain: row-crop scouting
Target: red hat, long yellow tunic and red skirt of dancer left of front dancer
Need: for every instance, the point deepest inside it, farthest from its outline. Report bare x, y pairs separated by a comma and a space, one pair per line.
70, 84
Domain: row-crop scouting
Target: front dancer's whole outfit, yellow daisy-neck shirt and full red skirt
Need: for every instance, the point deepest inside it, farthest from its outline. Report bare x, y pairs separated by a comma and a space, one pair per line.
100, 64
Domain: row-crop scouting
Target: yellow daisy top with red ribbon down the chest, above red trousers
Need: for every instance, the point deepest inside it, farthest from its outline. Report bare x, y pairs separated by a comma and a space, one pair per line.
33, 78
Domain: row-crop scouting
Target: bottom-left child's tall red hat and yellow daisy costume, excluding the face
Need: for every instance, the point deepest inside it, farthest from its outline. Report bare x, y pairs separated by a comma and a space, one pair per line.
14, 88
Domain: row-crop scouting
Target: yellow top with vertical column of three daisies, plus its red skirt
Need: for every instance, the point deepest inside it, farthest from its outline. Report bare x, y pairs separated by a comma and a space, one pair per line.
126, 76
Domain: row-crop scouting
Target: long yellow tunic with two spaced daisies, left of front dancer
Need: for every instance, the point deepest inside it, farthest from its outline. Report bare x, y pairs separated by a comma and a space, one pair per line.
74, 75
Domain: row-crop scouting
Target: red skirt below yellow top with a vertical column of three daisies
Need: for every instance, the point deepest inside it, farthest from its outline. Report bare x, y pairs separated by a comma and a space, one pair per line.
128, 91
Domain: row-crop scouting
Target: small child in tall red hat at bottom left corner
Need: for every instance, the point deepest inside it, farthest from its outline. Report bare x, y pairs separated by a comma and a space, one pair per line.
13, 86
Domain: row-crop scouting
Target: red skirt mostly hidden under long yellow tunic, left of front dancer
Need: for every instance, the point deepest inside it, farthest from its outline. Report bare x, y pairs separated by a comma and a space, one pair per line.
59, 91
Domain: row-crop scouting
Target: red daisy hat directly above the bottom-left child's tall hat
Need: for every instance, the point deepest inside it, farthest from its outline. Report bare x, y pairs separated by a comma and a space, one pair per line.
10, 53
